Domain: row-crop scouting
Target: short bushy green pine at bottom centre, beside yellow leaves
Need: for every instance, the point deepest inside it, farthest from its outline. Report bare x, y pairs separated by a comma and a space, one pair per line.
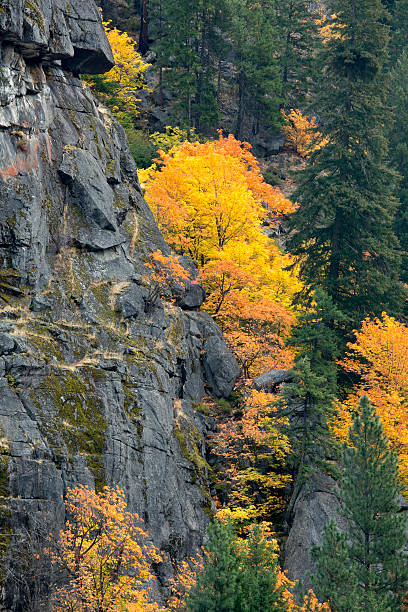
236, 581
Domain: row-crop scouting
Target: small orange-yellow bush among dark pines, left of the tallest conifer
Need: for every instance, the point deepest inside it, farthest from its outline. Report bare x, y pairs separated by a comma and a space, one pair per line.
302, 133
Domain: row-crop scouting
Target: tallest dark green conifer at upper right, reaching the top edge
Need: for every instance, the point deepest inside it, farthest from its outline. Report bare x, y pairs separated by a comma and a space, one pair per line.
342, 232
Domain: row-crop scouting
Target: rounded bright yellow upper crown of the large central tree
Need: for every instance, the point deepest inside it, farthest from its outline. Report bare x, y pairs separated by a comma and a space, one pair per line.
207, 196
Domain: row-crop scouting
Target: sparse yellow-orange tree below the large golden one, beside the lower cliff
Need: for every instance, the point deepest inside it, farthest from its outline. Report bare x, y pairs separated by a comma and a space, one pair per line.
254, 448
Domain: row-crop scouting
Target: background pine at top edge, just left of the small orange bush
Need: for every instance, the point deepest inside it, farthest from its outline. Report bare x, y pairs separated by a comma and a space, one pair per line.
254, 36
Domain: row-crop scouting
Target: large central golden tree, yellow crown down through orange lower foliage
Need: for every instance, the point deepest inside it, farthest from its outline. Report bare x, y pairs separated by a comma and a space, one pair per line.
210, 200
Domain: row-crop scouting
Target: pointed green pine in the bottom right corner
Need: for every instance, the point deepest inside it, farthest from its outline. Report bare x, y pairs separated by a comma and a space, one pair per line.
369, 493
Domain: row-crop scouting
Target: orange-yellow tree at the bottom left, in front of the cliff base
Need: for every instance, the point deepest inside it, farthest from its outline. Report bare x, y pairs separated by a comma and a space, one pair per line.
103, 555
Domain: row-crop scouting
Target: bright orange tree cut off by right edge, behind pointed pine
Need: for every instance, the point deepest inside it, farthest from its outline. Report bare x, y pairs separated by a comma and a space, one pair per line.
379, 357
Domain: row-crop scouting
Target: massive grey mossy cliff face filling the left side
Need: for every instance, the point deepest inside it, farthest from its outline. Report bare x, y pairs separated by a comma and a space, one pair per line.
95, 387
